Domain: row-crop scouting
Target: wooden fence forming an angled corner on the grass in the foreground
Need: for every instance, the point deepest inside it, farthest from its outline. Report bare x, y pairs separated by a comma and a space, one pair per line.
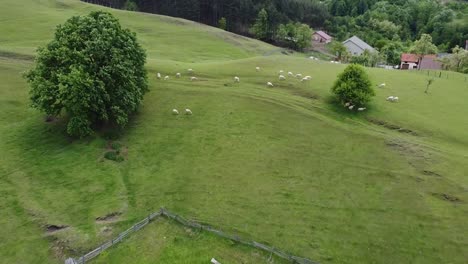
188, 223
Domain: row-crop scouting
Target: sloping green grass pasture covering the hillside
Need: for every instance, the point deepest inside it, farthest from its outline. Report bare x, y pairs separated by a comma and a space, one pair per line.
281, 165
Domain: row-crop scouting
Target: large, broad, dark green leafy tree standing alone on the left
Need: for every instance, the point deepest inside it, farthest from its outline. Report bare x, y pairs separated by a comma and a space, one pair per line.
92, 71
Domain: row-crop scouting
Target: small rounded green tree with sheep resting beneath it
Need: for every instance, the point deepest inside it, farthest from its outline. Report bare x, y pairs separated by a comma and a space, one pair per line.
353, 86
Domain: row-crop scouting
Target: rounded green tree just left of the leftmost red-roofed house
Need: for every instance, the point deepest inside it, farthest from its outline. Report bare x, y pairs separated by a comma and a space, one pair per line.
295, 35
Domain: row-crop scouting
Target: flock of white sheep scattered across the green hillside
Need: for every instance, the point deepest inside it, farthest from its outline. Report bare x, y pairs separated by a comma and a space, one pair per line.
281, 77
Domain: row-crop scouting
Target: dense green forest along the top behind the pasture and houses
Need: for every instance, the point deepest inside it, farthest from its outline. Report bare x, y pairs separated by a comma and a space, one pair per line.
380, 23
